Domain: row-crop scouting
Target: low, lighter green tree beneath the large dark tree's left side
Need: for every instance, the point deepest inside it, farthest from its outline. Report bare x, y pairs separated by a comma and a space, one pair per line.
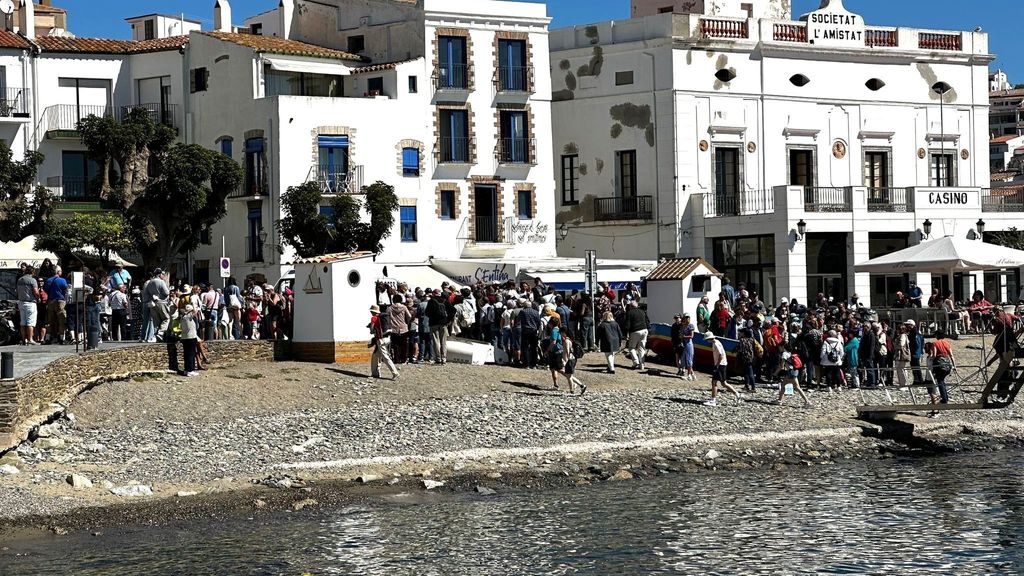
102, 232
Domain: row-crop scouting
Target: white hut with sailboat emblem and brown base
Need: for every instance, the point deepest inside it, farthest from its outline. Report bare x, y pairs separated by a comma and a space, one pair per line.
333, 296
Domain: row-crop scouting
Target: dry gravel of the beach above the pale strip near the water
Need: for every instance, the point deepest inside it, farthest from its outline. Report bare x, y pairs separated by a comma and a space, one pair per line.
237, 424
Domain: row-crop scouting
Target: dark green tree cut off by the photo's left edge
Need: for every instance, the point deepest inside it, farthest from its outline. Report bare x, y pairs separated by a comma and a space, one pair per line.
24, 208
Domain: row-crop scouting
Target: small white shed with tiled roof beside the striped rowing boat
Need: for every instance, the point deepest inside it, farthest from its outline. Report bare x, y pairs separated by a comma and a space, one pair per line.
677, 286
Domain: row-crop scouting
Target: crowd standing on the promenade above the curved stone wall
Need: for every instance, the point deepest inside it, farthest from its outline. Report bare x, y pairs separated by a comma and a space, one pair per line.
114, 307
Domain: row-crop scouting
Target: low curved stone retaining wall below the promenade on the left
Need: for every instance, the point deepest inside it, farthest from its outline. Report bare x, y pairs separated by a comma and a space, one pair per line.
29, 399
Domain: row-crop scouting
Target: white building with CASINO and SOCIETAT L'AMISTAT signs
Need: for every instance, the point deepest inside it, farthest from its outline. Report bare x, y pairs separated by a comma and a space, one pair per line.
786, 152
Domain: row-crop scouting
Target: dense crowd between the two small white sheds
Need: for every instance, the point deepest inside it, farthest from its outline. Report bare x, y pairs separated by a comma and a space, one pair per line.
530, 325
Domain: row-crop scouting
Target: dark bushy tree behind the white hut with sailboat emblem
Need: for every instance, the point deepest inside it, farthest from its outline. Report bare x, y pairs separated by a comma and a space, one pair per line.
312, 234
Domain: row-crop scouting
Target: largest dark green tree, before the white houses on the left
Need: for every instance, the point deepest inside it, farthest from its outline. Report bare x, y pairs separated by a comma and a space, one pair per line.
168, 193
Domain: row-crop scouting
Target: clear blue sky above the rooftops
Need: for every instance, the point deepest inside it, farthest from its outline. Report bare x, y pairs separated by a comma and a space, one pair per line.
999, 18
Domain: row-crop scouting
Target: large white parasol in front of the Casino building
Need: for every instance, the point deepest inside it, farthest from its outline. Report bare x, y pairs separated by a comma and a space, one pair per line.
946, 256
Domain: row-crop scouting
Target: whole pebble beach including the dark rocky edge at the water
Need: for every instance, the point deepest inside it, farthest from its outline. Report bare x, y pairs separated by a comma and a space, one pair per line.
270, 437
